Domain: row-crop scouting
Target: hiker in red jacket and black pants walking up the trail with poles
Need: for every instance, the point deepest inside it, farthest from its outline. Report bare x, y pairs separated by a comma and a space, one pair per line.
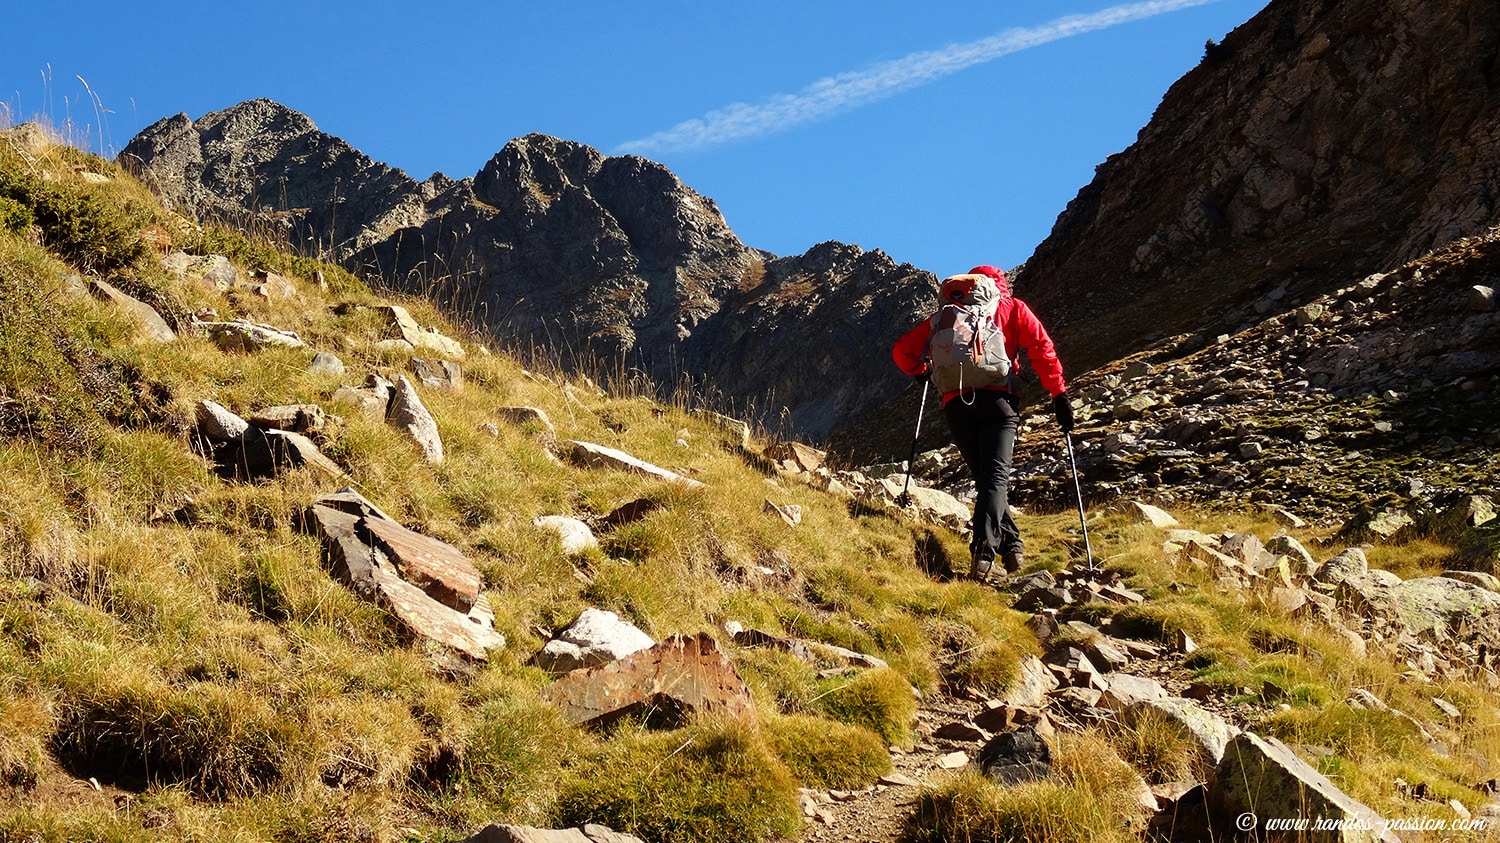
985, 418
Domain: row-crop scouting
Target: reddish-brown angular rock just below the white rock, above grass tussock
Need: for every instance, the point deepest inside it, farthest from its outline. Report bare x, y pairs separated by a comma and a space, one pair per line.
670, 683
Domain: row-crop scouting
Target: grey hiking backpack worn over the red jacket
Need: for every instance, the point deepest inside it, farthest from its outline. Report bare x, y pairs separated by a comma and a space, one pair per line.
965, 347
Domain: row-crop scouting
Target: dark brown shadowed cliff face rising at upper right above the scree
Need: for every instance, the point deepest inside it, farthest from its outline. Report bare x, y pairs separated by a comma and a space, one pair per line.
1322, 140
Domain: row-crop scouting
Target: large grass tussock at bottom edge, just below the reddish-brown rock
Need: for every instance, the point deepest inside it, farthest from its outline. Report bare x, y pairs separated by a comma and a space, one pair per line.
707, 784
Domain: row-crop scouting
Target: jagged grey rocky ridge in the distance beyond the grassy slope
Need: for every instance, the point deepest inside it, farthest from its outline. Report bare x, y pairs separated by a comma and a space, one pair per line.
551, 244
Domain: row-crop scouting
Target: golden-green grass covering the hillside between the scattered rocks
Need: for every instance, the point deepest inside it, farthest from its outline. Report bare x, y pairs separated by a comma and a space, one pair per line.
173, 638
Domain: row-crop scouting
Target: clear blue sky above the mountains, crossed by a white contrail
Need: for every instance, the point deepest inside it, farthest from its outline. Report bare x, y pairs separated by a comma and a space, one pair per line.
944, 133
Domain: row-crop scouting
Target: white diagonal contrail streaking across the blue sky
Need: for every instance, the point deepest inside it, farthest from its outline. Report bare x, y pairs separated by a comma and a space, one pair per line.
845, 92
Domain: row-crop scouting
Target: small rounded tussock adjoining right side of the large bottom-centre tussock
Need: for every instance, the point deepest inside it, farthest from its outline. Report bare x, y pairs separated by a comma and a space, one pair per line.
827, 755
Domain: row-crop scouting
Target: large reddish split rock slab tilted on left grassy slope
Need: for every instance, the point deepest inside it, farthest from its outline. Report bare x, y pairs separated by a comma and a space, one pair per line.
371, 554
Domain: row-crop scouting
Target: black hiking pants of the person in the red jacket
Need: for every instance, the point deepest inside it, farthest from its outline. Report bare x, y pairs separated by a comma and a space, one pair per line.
985, 425
